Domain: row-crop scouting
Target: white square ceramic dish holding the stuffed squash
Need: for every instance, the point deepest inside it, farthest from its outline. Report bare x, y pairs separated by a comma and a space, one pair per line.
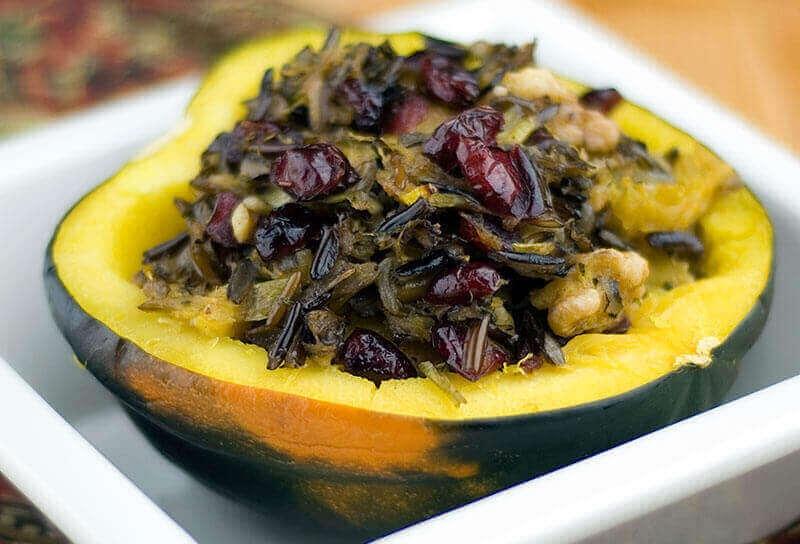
723, 476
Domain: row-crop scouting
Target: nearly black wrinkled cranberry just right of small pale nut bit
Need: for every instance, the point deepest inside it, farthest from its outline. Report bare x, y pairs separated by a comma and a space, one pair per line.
284, 231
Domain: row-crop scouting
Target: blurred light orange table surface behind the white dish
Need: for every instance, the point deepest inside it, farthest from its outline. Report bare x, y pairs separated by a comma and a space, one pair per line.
742, 52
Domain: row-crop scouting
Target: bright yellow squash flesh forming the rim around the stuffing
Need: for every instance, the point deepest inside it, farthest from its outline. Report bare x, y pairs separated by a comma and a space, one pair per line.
97, 249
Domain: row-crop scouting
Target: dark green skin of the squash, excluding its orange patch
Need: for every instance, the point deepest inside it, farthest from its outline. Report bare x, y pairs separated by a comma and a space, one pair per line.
508, 450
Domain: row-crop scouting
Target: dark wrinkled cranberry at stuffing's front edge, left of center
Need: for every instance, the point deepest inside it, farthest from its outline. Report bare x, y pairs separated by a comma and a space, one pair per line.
371, 356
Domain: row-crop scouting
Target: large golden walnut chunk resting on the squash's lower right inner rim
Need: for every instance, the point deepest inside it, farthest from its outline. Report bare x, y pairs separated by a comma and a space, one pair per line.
596, 294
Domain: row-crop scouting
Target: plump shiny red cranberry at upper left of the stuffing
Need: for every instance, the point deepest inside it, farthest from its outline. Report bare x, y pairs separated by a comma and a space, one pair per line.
311, 170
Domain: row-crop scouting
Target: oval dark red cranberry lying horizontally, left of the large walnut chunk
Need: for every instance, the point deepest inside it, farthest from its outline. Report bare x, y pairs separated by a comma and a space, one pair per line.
463, 284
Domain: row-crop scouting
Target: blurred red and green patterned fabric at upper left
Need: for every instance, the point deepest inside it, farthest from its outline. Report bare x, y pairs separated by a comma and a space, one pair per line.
57, 55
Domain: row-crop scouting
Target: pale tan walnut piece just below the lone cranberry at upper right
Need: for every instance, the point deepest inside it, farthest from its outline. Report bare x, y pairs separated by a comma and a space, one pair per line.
586, 128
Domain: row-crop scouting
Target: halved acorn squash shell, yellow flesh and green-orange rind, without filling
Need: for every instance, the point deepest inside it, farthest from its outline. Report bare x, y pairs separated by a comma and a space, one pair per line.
381, 458
